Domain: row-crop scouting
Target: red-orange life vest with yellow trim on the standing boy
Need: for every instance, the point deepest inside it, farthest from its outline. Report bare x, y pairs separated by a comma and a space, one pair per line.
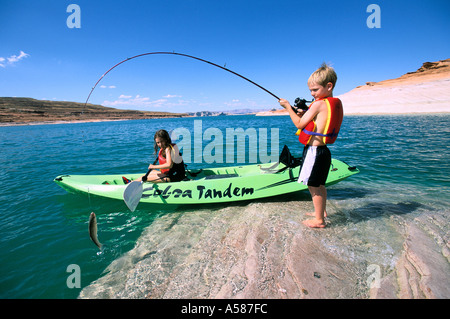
332, 126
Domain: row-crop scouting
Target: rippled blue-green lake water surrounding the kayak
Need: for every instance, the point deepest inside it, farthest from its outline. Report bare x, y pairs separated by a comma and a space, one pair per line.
403, 162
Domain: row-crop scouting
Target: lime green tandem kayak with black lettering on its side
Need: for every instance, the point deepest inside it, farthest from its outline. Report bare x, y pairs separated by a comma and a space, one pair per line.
209, 185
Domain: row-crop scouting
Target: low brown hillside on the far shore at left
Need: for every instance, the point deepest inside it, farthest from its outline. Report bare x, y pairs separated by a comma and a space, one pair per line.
17, 110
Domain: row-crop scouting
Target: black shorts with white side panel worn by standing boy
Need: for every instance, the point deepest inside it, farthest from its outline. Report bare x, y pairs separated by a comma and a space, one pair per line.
316, 165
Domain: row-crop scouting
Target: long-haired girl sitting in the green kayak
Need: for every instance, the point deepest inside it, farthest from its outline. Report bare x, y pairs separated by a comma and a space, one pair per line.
171, 165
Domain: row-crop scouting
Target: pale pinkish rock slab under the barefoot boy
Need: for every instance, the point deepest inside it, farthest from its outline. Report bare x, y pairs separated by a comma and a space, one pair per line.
261, 250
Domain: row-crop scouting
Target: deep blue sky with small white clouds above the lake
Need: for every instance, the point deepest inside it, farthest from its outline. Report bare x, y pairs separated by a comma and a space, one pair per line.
277, 44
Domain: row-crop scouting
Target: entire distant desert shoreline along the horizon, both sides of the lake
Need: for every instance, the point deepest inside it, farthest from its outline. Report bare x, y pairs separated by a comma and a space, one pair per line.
424, 91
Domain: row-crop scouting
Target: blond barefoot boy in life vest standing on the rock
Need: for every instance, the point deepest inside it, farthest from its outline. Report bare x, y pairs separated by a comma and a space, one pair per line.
318, 126
